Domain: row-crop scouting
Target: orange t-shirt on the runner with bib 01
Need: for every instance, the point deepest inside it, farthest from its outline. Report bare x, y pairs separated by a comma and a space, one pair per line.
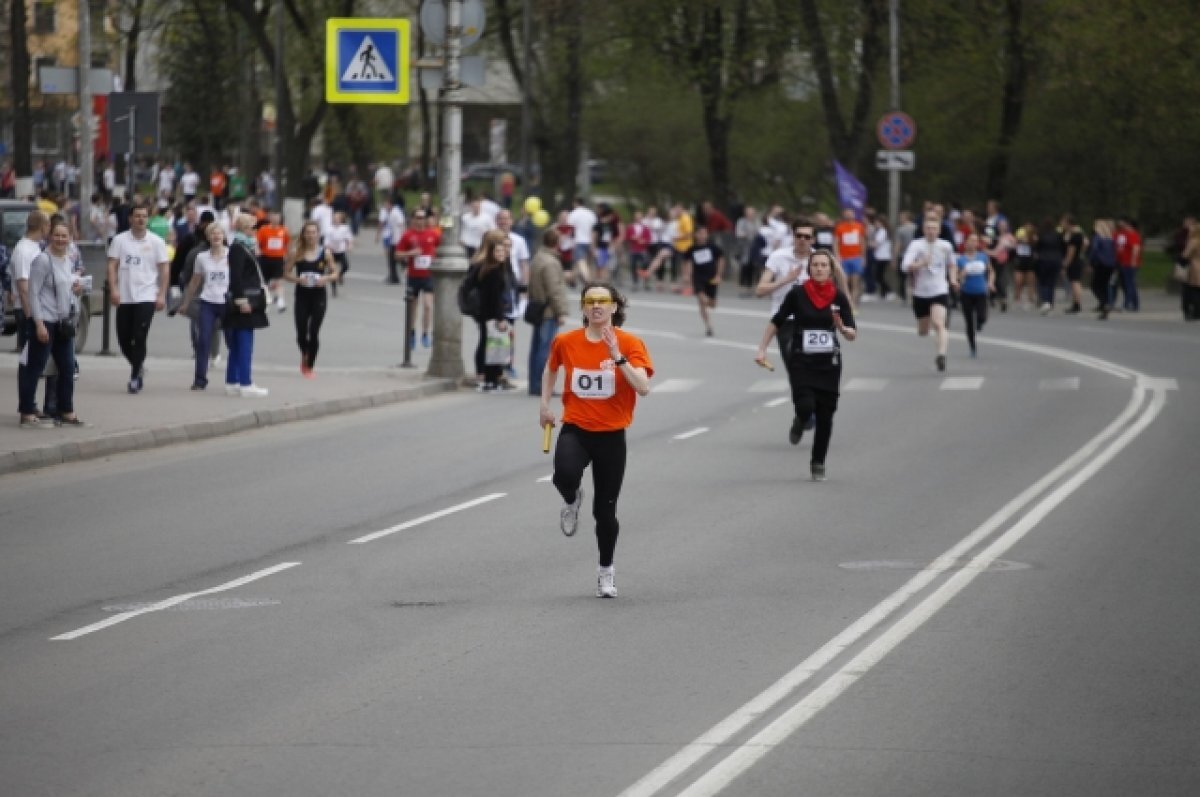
597, 398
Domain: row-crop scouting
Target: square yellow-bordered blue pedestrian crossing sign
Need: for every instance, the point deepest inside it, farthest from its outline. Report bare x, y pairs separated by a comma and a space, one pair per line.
367, 61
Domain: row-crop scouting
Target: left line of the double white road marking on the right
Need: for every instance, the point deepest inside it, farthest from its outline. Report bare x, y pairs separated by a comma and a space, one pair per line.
721, 734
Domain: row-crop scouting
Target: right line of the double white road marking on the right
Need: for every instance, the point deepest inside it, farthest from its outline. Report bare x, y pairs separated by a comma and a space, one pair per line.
753, 751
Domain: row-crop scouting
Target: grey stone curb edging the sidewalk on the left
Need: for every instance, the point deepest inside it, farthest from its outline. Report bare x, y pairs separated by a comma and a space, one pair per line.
193, 432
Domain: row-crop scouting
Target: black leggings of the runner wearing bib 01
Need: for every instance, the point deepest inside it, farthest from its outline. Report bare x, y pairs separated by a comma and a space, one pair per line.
607, 453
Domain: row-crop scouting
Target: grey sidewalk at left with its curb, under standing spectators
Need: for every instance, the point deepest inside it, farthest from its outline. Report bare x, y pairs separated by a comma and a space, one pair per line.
169, 412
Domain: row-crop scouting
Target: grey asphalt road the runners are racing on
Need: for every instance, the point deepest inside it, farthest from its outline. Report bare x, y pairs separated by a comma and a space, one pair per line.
993, 594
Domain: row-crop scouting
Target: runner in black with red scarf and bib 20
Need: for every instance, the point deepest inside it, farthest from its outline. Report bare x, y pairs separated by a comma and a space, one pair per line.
820, 311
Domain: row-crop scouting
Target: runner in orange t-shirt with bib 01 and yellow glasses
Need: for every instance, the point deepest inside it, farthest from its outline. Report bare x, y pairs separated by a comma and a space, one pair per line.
607, 370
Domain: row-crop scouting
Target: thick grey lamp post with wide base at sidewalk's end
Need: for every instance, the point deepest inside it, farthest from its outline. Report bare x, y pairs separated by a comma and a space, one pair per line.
451, 266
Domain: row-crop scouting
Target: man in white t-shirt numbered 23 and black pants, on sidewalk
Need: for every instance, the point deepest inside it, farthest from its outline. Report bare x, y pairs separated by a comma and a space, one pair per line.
137, 273
